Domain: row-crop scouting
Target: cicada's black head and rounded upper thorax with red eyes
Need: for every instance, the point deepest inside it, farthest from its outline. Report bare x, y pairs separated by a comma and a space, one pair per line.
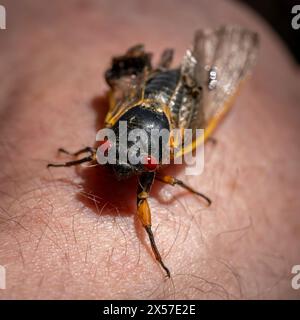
137, 147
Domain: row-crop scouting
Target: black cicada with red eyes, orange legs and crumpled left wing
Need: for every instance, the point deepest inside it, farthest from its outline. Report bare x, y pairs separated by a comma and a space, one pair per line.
195, 94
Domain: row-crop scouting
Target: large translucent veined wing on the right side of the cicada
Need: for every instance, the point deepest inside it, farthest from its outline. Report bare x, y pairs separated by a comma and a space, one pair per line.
214, 68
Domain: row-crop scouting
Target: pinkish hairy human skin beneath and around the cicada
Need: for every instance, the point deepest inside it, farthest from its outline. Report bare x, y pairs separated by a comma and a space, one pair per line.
73, 232
